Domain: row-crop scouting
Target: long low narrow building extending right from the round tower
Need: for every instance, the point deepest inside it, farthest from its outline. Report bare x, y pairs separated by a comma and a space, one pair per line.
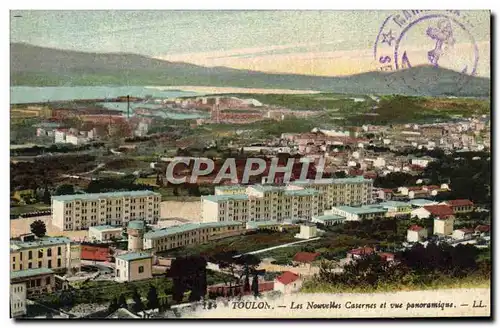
190, 234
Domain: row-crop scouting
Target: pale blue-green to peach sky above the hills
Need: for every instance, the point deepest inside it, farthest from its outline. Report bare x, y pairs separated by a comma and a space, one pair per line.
328, 43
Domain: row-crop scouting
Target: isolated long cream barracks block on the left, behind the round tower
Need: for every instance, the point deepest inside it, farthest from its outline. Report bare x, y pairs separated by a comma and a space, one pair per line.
81, 211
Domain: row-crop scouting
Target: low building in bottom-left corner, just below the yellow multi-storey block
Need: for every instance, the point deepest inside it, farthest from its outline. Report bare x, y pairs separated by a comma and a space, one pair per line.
37, 281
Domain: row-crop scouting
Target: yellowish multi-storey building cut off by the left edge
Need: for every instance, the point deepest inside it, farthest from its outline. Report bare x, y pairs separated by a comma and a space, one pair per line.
50, 253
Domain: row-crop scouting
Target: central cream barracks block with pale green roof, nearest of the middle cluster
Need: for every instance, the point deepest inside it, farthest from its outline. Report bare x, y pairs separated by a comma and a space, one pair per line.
262, 203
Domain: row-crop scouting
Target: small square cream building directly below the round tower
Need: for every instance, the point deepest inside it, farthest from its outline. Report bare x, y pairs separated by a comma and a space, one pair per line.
133, 266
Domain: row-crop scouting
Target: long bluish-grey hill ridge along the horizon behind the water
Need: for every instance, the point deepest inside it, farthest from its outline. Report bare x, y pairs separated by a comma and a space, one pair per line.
38, 66
